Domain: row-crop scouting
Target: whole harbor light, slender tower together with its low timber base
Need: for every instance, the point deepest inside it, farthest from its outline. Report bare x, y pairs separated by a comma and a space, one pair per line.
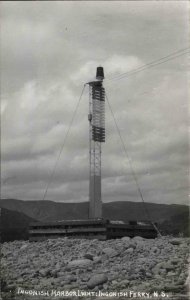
95, 226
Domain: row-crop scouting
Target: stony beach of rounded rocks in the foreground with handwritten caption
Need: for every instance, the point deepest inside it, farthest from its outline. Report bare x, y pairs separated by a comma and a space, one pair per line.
90, 269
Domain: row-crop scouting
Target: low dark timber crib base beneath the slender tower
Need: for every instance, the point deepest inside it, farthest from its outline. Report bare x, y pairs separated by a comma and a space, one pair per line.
90, 229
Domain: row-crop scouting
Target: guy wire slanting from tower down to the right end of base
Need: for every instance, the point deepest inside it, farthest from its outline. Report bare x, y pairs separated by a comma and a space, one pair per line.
132, 169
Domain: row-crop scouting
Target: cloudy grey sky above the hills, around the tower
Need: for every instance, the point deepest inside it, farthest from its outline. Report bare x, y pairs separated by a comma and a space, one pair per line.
48, 51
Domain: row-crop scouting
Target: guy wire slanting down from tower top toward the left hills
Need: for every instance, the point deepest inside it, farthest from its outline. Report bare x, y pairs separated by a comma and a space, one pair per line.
64, 141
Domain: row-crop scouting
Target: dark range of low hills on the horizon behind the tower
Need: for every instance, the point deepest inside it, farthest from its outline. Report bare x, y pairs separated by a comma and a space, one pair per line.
164, 214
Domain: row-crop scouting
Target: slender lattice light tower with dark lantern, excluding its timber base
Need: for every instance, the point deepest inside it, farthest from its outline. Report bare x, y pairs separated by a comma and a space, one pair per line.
96, 119
